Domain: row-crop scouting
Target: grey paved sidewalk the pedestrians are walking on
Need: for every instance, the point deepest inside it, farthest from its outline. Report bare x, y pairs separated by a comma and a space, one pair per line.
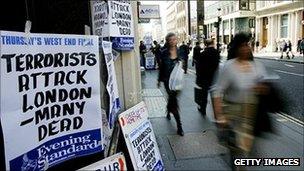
199, 148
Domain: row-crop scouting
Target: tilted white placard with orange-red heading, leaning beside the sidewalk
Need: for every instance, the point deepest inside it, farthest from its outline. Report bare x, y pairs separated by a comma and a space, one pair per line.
140, 138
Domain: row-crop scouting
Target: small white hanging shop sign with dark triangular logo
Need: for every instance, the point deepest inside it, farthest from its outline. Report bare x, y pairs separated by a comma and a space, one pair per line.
149, 11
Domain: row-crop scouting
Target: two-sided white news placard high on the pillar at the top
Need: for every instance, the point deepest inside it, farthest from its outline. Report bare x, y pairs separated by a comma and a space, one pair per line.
114, 19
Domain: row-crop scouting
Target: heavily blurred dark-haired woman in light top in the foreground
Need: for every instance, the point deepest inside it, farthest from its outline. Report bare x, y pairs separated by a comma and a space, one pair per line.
235, 98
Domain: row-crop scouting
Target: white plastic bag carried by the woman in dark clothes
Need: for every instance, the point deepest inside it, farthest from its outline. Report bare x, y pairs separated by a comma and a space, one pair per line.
176, 77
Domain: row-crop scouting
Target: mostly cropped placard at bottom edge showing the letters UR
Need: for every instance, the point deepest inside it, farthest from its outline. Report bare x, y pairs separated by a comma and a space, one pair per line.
116, 162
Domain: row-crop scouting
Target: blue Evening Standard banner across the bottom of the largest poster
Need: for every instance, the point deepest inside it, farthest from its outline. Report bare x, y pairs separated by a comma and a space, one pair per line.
56, 151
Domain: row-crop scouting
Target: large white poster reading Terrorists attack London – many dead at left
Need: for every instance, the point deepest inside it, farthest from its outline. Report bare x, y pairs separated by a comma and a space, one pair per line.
50, 103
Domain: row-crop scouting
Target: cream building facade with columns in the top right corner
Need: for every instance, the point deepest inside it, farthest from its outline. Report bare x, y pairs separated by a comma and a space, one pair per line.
278, 21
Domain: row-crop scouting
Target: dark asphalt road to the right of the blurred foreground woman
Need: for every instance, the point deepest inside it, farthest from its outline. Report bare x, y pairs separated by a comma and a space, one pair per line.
290, 84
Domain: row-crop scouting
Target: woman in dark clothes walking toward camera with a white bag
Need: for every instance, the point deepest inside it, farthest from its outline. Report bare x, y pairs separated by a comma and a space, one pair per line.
170, 56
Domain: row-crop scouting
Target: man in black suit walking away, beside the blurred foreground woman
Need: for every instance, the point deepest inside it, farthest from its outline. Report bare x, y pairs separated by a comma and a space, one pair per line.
206, 66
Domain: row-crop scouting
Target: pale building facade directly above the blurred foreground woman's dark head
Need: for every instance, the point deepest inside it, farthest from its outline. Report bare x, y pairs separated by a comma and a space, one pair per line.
235, 17
